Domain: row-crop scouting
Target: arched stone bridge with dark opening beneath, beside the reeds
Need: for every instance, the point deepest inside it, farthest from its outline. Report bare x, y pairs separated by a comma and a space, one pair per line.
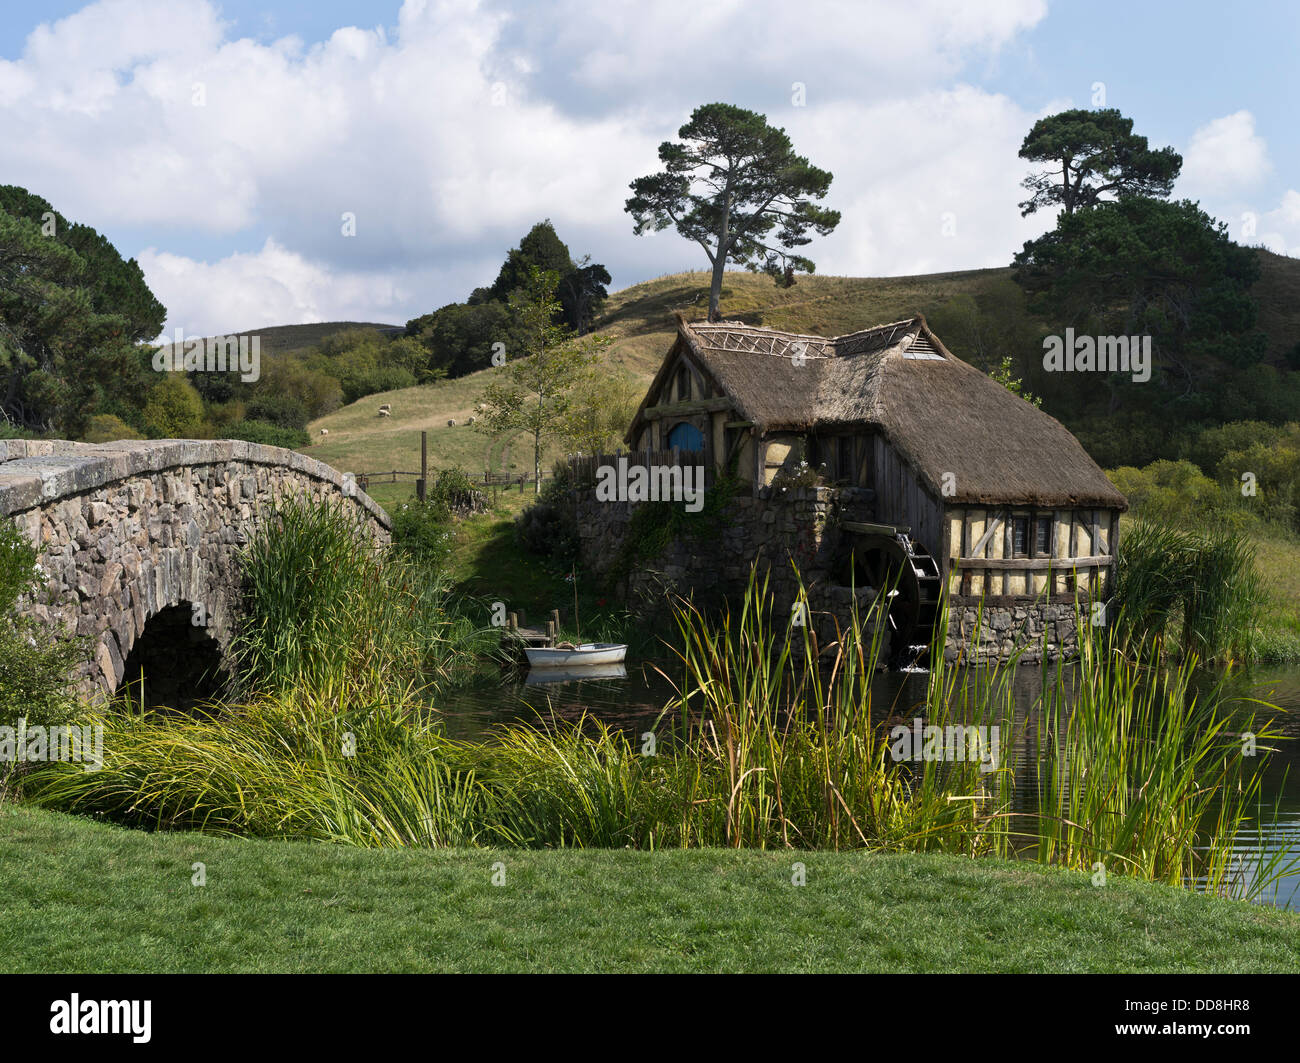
141, 548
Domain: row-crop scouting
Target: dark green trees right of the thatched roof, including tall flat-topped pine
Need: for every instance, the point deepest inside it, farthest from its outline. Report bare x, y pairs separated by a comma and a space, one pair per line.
1125, 261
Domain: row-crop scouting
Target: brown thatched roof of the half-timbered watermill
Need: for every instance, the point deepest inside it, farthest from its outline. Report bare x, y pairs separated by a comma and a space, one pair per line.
939, 413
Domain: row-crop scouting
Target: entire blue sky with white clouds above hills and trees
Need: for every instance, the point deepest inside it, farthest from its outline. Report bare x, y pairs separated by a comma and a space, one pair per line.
285, 162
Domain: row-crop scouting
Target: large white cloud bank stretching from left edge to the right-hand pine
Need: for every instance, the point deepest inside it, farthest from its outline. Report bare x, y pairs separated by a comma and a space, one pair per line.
402, 128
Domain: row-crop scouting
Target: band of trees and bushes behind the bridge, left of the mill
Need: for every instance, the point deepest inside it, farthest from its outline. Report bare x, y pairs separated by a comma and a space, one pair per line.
76, 323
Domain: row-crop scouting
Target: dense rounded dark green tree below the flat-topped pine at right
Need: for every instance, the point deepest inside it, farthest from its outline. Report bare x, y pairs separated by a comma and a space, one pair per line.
1142, 267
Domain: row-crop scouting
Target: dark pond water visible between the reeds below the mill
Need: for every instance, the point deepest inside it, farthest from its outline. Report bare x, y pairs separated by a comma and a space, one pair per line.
636, 701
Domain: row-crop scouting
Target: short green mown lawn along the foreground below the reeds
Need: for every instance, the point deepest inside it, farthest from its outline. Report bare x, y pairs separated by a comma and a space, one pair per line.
80, 896
